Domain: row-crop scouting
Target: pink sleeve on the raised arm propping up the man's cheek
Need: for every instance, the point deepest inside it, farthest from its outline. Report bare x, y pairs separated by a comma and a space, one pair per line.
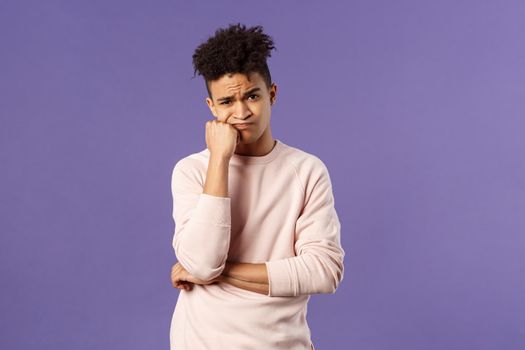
202, 223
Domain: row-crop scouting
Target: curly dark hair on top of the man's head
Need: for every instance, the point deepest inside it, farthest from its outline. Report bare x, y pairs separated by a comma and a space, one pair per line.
235, 49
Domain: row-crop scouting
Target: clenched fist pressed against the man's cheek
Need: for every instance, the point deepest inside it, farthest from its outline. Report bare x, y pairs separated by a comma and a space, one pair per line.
221, 138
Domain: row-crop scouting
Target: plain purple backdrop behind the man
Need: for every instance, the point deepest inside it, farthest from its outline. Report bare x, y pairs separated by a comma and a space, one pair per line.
416, 107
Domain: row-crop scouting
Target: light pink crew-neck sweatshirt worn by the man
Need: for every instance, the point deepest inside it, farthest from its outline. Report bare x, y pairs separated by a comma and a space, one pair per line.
280, 211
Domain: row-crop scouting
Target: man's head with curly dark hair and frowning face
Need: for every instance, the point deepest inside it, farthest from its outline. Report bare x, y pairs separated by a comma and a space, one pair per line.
238, 81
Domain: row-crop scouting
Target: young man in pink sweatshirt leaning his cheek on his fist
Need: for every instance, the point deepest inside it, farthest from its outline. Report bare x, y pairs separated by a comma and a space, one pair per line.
256, 230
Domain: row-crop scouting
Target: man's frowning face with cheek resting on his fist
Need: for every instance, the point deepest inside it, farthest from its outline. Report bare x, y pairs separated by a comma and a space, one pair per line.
237, 100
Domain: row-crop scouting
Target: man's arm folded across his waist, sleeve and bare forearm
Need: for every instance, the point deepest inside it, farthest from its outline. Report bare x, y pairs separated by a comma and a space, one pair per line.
319, 266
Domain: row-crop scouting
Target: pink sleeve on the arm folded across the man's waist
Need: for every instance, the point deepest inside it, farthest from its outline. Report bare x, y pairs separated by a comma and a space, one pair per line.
318, 264
